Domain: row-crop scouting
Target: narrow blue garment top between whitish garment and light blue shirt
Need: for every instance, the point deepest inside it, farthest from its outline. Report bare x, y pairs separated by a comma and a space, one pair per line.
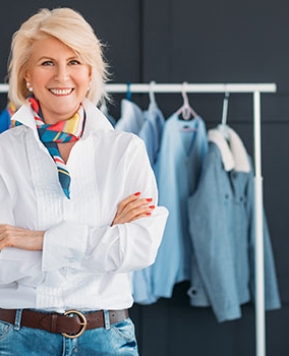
152, 130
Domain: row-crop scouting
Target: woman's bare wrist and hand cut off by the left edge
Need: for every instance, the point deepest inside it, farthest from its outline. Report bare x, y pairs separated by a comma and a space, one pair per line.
11, 236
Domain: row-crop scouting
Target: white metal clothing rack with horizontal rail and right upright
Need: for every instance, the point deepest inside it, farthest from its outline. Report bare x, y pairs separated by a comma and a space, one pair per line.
255, 90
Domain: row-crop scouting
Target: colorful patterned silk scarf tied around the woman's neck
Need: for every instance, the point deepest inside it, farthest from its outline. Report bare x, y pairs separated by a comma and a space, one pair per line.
63, 131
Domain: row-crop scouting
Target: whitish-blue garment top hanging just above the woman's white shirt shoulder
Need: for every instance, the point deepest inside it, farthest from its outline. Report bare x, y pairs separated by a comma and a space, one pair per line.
131, 117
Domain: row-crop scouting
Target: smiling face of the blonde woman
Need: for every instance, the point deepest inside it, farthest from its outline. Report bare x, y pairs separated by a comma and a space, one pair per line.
59, 78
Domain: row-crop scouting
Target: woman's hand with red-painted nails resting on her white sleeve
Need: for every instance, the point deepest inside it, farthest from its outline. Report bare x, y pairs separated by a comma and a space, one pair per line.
132, 208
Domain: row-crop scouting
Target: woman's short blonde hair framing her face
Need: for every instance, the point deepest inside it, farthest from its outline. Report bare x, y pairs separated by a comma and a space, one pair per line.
70, 28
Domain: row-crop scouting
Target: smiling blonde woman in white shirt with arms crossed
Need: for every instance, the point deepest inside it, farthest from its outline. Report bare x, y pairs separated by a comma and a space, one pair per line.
78, 200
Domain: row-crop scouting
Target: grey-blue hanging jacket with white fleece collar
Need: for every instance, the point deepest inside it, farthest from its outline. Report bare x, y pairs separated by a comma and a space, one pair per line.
222, 229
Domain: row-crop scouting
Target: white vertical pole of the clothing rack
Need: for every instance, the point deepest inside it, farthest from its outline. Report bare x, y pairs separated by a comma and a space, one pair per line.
259, 245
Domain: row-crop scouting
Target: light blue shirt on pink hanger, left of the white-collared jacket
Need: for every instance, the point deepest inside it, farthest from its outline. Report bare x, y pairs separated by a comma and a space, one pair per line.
183, 148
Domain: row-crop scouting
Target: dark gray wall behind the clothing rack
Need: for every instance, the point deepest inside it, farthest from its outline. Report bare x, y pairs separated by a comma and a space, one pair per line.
200, 42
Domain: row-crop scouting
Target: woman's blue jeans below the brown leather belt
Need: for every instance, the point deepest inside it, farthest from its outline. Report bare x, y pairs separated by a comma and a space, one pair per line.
115, 339
